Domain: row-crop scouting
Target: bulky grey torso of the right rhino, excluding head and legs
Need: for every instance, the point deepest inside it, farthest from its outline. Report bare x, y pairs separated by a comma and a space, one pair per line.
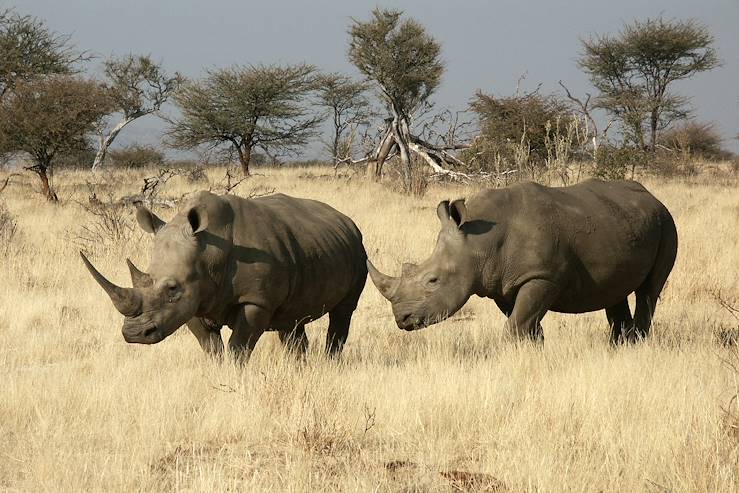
598, 240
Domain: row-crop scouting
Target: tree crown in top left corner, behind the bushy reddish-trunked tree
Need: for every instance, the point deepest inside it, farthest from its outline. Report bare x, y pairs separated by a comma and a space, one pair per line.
30, 50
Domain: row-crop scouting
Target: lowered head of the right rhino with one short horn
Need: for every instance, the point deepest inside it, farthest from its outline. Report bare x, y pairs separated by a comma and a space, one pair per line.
430, 292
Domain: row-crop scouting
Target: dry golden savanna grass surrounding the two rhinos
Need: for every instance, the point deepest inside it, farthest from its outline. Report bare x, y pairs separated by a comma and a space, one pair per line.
455, 407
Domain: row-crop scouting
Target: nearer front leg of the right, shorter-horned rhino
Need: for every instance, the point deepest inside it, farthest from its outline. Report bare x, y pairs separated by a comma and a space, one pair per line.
532, 302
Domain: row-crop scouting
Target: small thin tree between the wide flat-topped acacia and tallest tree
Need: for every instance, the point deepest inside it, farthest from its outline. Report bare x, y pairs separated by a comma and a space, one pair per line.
348, 107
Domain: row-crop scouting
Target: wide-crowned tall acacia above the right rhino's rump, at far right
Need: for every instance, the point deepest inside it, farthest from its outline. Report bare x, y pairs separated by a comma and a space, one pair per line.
633, 72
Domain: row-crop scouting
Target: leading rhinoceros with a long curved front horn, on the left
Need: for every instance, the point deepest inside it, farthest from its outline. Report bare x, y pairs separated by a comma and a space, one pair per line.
270, 263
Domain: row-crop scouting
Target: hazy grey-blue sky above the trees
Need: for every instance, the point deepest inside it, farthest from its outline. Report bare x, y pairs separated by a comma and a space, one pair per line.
486, 44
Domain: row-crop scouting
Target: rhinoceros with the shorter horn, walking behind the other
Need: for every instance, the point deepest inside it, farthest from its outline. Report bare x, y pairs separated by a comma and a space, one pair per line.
533, 249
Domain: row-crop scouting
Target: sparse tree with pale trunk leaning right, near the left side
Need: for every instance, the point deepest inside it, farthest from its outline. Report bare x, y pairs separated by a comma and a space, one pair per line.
138, 87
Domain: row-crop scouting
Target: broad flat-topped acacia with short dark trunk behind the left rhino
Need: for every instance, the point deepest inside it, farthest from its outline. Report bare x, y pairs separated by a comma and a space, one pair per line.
243, 108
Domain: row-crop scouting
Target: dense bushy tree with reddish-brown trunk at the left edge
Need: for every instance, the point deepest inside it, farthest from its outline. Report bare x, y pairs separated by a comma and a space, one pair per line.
49, 117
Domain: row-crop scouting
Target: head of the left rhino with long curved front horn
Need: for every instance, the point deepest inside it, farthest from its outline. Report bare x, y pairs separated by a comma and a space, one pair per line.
170, 294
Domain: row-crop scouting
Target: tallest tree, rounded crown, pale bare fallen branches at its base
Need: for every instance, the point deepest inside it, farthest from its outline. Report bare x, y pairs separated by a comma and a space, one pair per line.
404, 62
